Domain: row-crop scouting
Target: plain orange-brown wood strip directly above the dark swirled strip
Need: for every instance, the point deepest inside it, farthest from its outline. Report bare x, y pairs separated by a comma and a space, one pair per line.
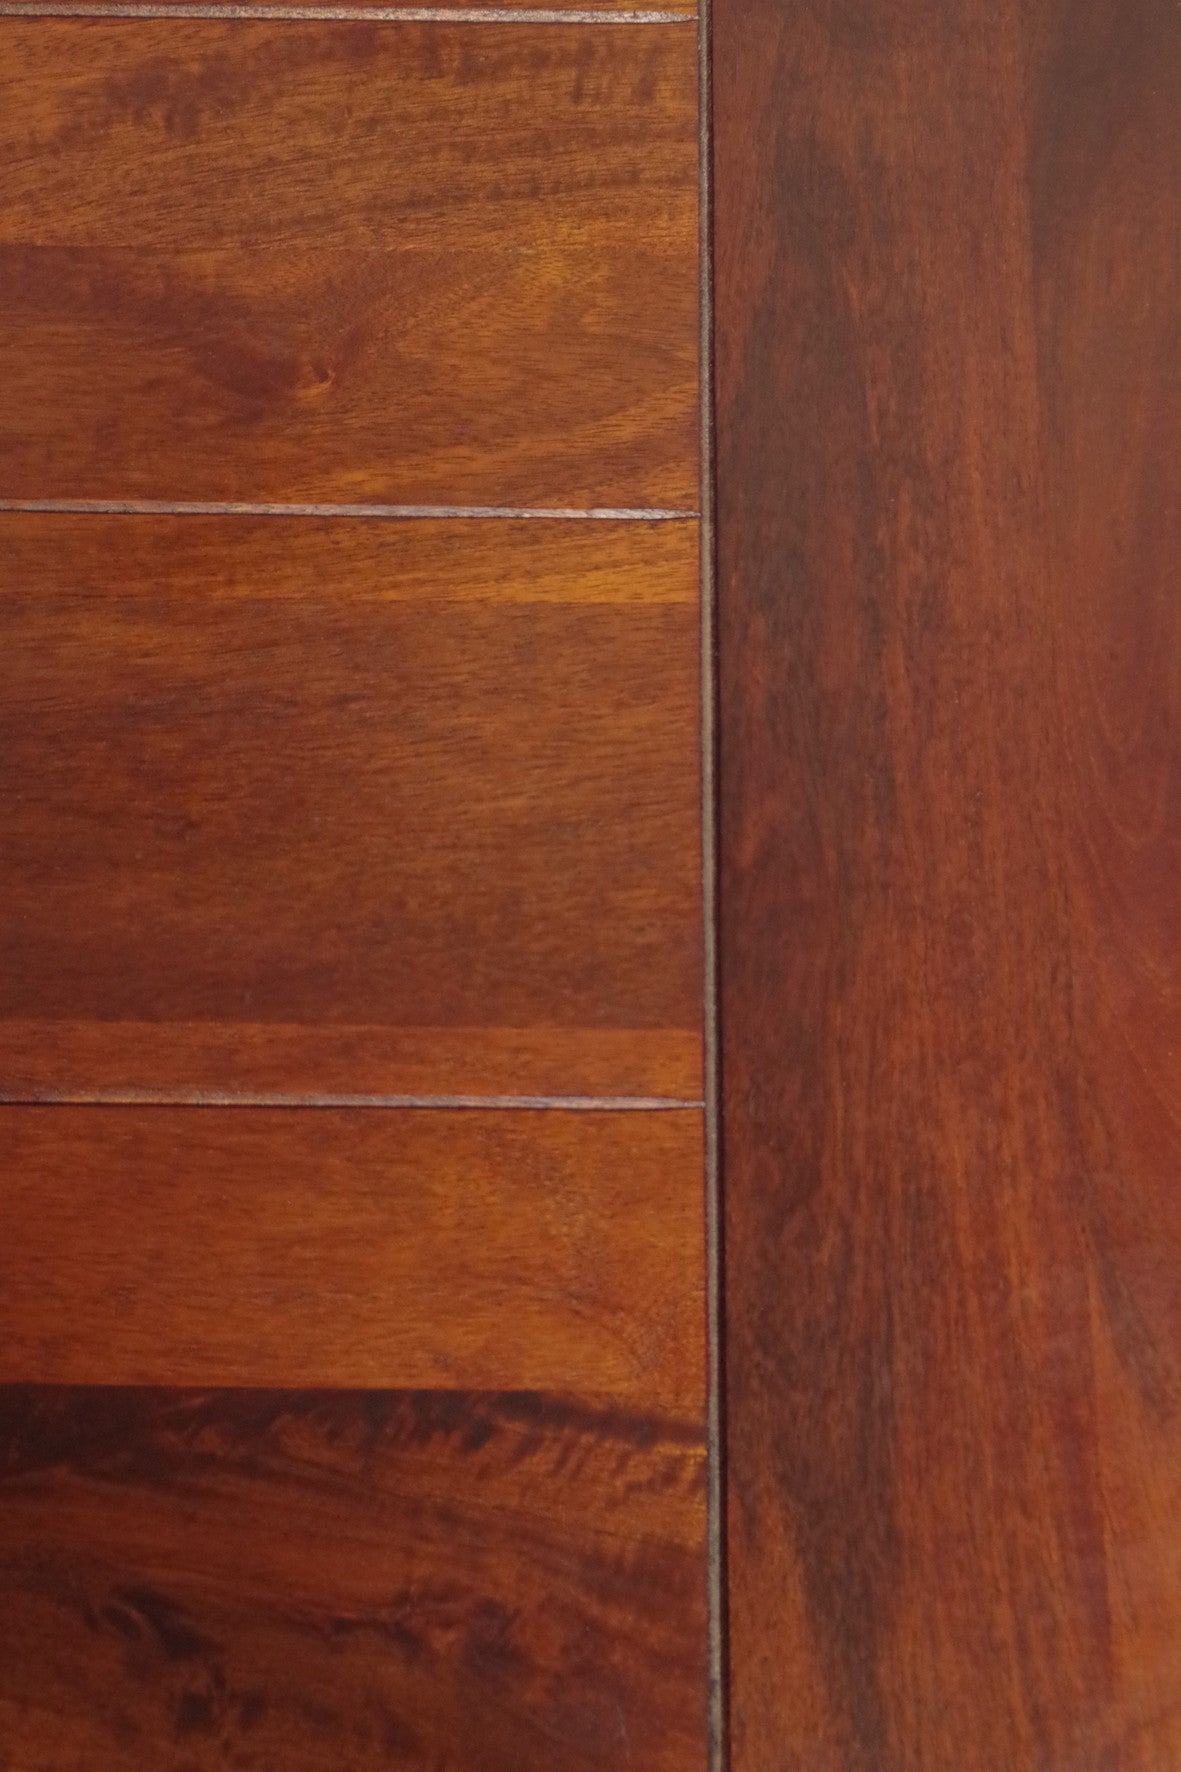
373, 1248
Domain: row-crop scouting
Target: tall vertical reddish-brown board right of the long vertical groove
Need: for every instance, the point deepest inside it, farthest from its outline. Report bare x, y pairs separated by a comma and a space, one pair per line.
950, 323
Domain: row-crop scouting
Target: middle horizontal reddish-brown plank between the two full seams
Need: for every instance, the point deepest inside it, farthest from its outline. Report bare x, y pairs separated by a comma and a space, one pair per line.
329, 807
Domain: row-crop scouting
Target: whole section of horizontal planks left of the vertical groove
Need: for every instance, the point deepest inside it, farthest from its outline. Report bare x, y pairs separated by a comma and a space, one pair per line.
352, 1151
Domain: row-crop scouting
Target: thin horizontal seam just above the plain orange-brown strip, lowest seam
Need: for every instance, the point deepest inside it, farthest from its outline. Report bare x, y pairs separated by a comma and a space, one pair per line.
274, 1100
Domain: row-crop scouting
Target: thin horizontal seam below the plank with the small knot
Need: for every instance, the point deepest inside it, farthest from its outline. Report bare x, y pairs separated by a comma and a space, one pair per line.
150, 508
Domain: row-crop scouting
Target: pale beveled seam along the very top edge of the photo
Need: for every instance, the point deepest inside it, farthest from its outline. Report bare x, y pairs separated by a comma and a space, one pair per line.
343, 13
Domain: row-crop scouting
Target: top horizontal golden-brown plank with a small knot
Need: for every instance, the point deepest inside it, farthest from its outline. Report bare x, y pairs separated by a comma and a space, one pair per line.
395, 263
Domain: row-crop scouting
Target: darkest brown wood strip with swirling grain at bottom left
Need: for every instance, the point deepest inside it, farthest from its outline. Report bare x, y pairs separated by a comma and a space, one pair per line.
446, 1583
